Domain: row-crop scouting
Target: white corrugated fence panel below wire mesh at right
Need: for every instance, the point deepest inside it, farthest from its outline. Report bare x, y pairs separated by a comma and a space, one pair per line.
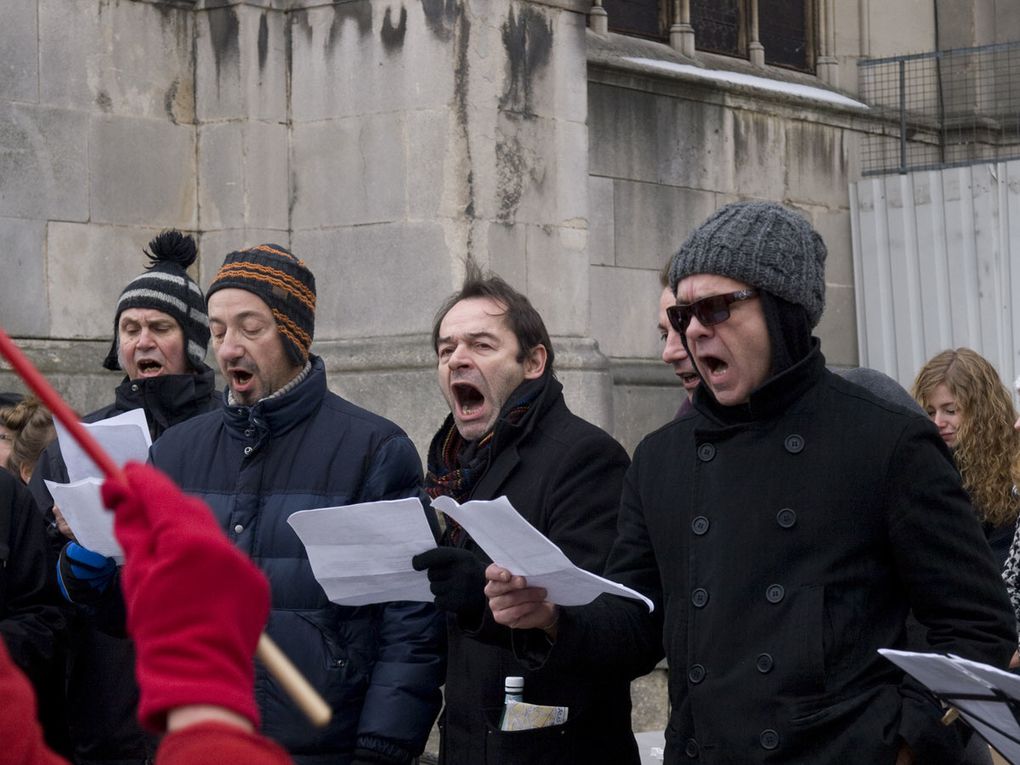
937, 266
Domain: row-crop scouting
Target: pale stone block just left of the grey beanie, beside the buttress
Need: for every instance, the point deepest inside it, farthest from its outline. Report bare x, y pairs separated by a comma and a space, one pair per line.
625, 303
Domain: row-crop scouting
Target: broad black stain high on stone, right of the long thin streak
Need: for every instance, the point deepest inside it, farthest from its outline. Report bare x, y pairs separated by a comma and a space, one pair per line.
528, 38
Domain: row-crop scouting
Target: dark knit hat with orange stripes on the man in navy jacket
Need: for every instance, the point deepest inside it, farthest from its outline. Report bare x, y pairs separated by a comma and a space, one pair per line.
285, 283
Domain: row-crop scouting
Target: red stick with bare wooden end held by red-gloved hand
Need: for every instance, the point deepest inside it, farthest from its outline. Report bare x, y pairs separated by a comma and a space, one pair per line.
301, 692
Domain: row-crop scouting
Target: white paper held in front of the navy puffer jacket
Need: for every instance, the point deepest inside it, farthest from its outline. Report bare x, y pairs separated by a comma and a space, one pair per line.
362, 554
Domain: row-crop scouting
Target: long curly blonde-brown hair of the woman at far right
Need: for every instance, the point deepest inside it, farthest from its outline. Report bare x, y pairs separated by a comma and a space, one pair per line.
988, 449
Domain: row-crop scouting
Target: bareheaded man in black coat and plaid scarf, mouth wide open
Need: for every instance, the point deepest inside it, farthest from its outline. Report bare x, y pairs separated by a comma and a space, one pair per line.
511, 433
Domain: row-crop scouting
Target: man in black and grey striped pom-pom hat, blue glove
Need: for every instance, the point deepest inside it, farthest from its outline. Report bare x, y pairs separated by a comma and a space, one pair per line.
161, 335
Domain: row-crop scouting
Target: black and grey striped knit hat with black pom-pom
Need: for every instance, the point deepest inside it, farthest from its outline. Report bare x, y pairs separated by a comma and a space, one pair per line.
167, 287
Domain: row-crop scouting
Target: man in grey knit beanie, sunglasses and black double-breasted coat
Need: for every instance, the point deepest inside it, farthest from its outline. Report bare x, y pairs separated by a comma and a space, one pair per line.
784, 529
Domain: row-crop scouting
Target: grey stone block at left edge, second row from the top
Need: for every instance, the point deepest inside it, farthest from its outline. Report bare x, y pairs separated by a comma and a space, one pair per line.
43, 163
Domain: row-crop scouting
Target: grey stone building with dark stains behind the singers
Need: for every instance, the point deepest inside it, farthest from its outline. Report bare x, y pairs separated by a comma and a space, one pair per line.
570, 145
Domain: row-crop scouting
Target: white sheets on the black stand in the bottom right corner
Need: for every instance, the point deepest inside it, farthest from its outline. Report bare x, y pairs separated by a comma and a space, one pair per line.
950, 677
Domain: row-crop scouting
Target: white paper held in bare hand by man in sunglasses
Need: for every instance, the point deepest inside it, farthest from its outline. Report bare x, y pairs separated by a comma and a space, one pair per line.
515, 544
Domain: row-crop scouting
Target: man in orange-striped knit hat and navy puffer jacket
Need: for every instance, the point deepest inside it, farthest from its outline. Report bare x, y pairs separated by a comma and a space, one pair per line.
282, 443
